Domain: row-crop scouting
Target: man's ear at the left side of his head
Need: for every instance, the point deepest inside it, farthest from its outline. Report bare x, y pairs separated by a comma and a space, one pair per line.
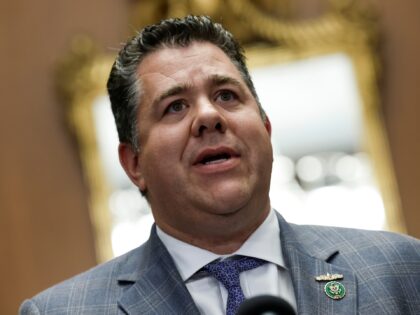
130, 161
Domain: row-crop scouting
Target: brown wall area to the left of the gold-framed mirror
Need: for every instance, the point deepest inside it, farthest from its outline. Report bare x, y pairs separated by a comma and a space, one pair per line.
45, 234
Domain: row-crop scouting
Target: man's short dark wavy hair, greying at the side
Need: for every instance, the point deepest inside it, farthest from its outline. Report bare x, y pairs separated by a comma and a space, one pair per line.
124, 85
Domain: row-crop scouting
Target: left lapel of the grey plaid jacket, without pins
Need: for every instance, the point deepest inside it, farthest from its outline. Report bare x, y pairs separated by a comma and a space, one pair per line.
154, 285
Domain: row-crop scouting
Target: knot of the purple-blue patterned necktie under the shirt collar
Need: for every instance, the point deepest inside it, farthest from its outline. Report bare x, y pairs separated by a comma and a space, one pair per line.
227, 271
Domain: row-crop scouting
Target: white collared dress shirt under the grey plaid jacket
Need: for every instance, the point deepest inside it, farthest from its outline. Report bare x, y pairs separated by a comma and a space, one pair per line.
210, 295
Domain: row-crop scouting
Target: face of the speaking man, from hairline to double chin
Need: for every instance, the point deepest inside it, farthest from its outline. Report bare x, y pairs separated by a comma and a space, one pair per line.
205, 153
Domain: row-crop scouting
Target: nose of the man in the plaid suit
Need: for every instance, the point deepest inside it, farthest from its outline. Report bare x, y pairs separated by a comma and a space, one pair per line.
208, 118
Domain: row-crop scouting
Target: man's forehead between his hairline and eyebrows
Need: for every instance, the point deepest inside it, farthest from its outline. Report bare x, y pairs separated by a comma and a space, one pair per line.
170, 65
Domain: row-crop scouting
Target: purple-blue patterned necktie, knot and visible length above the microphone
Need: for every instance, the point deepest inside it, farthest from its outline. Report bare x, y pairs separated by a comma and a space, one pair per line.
227, 273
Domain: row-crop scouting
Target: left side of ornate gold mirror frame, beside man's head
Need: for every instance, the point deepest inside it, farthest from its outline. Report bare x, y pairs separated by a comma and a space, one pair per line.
81, 78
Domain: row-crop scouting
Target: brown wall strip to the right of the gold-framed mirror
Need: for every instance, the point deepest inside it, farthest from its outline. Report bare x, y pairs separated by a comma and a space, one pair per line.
400, 22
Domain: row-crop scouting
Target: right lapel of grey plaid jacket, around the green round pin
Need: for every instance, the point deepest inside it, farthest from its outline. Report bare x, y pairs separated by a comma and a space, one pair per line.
306, 257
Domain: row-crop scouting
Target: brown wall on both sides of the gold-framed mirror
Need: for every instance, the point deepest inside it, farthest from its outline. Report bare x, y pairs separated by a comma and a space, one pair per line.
45, 234
